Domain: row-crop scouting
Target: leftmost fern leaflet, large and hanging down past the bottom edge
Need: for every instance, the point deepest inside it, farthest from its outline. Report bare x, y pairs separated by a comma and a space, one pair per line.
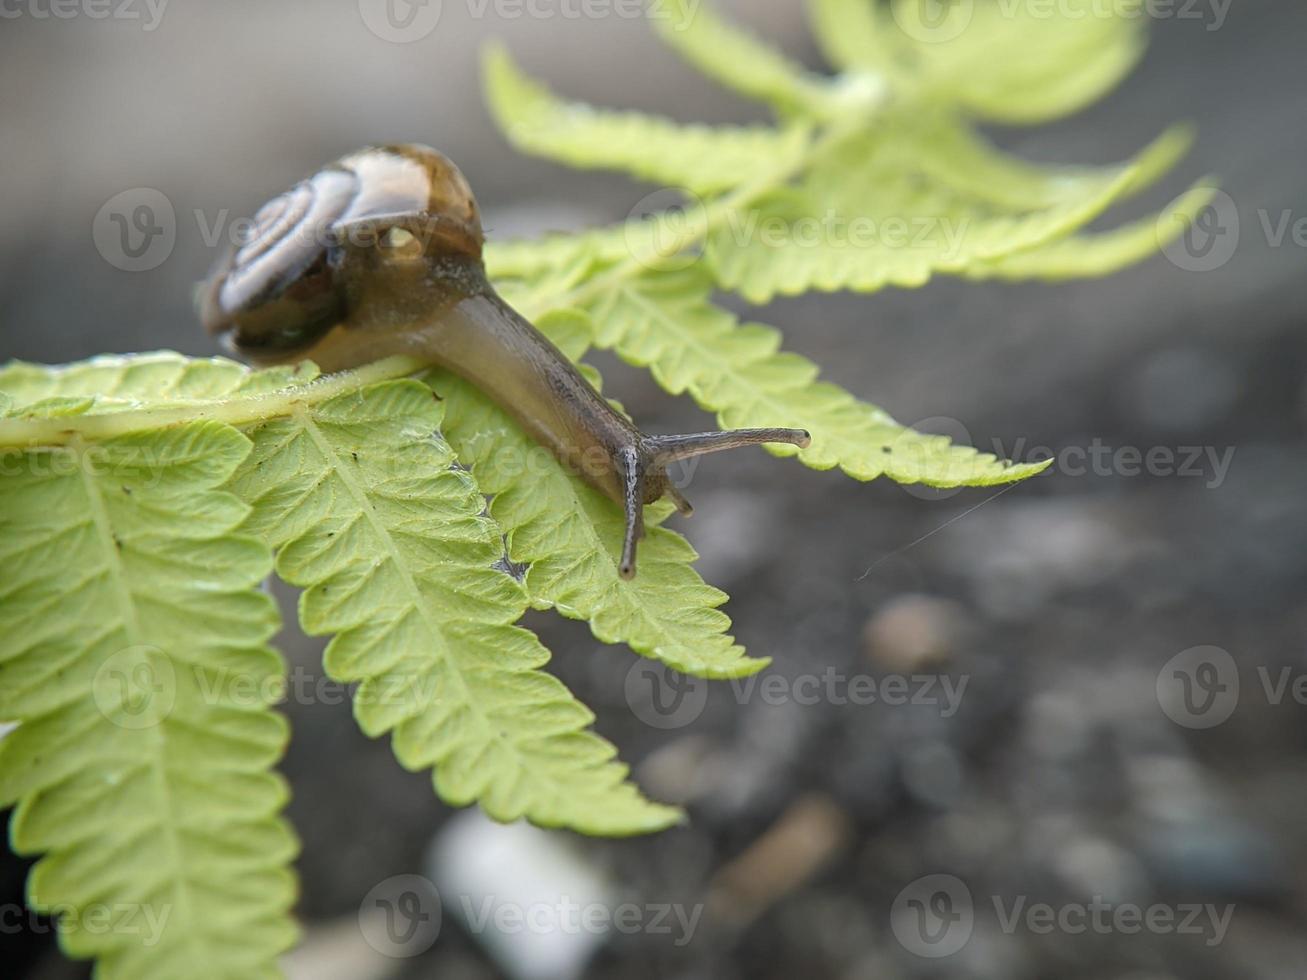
134, 655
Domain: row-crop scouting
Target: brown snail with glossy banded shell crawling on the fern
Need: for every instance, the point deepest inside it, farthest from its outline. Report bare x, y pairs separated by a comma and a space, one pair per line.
380, 254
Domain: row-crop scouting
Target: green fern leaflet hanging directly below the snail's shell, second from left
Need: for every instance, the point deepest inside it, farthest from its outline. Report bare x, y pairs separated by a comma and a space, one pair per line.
401, 564
